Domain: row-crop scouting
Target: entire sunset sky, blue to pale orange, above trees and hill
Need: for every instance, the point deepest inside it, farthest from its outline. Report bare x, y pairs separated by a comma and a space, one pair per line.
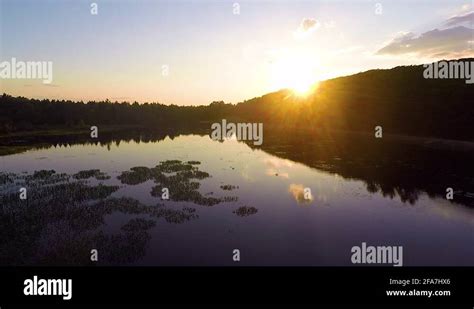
214, 54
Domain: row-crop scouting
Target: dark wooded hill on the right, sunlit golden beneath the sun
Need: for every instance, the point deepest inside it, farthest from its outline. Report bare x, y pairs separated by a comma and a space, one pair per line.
400, 100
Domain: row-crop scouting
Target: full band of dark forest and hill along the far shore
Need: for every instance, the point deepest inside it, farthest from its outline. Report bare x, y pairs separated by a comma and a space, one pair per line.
399, 99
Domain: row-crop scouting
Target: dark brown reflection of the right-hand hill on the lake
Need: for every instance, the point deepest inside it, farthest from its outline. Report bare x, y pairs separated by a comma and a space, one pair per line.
396, 168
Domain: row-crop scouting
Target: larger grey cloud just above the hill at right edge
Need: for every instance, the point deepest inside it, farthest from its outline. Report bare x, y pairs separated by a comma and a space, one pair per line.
451, 42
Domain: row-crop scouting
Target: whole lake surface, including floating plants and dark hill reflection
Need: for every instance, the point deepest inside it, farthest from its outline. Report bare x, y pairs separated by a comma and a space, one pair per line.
231, 195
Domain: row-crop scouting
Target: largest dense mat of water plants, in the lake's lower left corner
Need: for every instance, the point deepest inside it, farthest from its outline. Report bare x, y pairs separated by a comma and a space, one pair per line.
62, 219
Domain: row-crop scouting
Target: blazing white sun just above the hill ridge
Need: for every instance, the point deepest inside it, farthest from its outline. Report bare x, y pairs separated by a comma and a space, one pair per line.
294, 72
